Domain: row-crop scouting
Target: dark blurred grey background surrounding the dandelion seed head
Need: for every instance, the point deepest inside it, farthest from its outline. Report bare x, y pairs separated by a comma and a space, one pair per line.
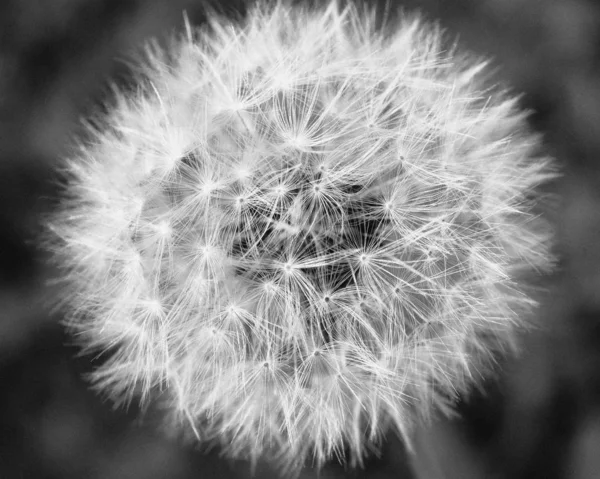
539, 419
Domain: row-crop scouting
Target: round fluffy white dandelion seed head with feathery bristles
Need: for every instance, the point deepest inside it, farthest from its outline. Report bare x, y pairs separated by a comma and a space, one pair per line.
302, 230
